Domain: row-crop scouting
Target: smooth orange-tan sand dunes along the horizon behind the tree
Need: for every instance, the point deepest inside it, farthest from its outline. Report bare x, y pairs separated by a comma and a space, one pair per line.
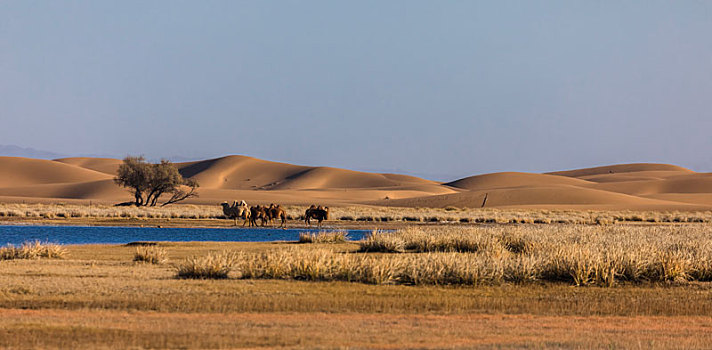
640, 186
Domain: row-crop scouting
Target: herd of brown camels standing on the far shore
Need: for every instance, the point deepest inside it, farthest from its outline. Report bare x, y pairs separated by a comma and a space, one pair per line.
268, 214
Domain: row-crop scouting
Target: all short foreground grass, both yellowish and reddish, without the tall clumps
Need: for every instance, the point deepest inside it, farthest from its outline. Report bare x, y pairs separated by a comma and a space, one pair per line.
98, 298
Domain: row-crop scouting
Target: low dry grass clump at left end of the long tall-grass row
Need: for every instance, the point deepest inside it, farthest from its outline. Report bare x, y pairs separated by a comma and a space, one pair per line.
212, 266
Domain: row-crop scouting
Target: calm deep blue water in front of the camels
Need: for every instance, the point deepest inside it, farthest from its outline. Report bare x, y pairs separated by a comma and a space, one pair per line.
118, 235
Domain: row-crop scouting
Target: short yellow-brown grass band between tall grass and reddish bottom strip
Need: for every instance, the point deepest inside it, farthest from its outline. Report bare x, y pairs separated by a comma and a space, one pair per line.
106, 279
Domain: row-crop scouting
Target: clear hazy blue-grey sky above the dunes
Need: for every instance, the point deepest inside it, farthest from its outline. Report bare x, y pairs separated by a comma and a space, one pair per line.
439, 89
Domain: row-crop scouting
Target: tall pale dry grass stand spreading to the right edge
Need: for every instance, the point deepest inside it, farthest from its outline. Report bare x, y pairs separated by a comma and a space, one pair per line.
580, 255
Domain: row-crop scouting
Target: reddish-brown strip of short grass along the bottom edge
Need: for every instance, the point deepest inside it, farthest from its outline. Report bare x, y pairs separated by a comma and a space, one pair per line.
83, 329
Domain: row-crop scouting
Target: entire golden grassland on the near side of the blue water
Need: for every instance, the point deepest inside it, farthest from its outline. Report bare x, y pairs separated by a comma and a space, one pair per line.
98, 297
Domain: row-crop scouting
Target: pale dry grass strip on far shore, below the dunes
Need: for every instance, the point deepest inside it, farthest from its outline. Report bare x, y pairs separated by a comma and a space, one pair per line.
212, 215
